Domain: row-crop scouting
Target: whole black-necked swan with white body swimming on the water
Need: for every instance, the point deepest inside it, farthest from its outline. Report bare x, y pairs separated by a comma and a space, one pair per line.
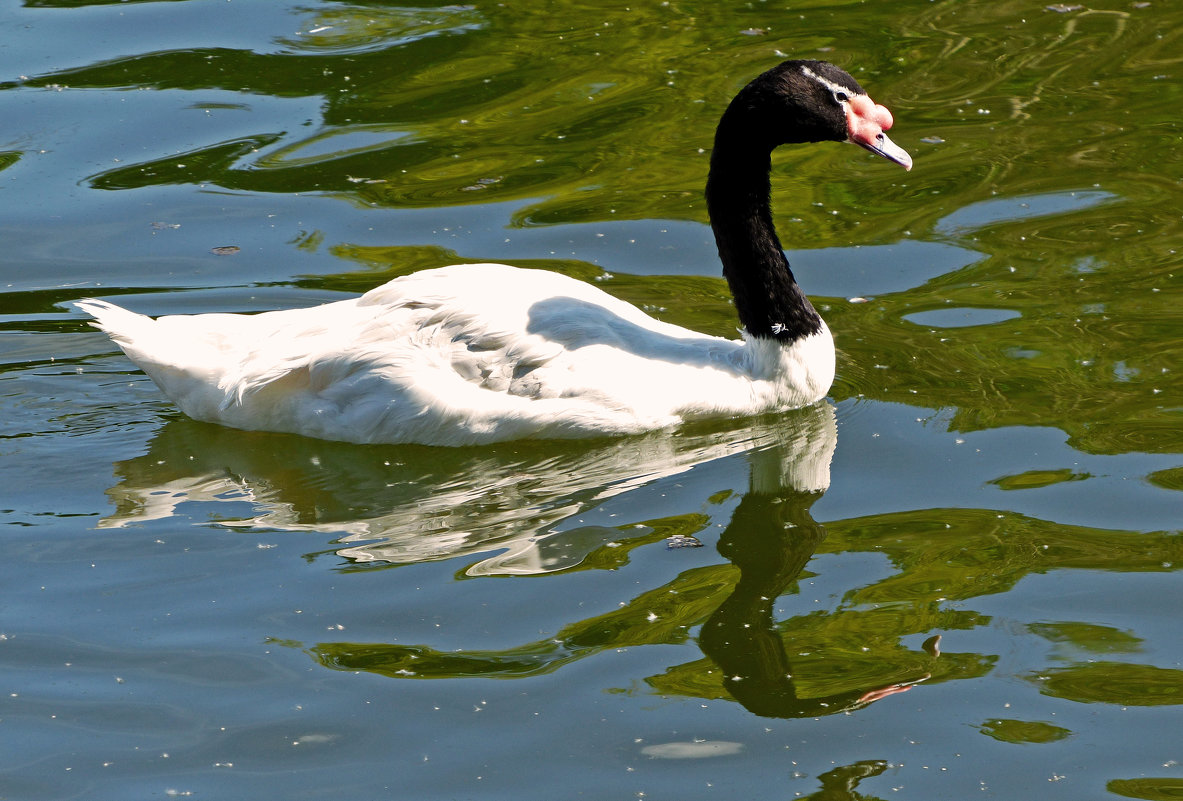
486, 353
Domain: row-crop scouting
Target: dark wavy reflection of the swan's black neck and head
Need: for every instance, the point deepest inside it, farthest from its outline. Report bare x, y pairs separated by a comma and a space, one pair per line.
771, 539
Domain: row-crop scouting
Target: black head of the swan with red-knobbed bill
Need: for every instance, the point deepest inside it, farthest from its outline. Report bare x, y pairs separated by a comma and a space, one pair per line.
807, 101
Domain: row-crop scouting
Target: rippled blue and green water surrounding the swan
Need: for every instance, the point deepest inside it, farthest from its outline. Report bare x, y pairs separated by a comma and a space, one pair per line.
193, 611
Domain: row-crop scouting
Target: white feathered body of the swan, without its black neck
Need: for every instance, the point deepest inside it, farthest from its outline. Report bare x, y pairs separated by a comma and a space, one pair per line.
461, 356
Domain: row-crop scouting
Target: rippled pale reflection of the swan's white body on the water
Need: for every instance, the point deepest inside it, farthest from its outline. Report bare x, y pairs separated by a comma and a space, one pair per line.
408, 505
